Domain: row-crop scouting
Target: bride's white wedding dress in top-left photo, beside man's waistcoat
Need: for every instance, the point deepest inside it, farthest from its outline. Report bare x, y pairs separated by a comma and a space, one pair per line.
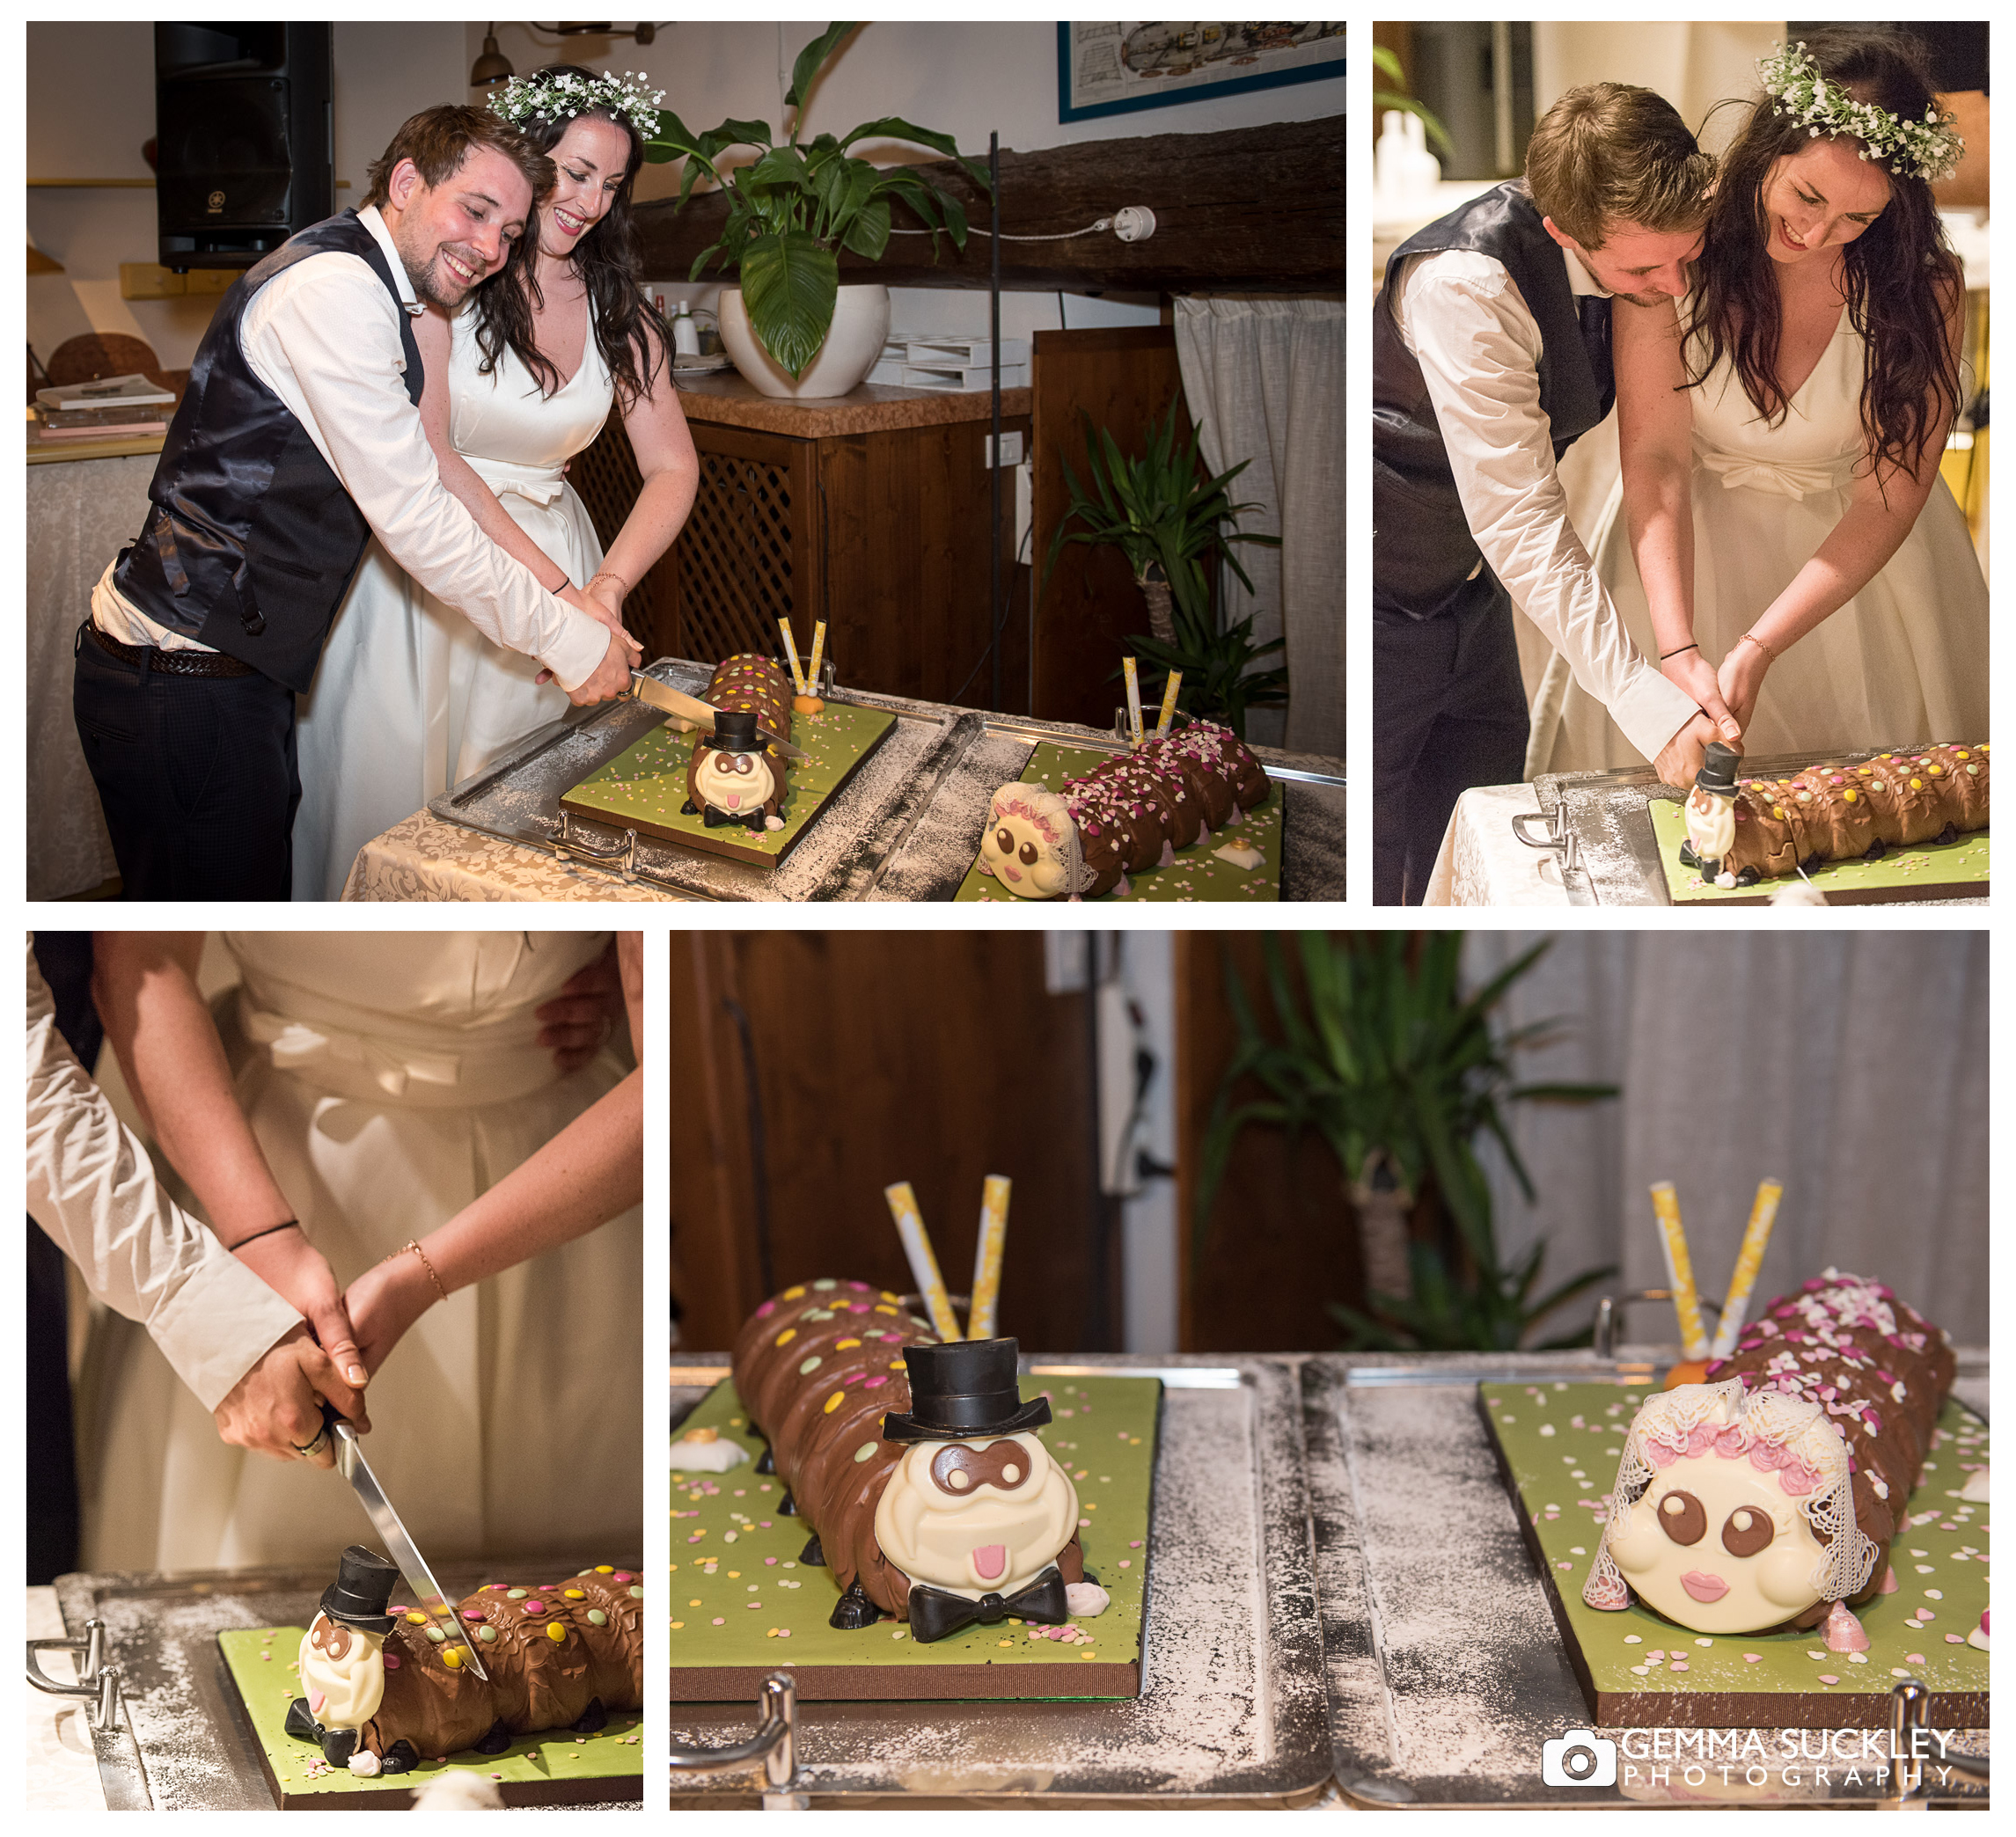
410, 699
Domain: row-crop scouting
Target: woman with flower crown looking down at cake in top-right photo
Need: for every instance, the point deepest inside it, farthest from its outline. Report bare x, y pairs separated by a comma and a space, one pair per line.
1781, 431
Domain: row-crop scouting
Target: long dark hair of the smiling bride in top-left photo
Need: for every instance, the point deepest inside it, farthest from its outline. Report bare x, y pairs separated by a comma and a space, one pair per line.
608, 263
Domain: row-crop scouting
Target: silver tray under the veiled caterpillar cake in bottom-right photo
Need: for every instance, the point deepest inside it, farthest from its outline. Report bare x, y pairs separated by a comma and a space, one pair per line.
1416, 1536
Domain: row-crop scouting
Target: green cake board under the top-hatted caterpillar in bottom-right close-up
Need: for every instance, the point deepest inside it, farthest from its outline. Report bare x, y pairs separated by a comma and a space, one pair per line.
743, 1604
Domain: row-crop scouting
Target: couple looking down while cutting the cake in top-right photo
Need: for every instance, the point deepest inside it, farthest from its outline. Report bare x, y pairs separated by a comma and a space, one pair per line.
1781, 334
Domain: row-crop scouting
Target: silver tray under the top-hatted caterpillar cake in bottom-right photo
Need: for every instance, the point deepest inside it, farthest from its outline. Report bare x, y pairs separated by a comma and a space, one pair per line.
1231, 1705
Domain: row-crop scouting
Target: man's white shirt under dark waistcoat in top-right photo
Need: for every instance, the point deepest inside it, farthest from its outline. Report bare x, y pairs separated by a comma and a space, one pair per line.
1479, 346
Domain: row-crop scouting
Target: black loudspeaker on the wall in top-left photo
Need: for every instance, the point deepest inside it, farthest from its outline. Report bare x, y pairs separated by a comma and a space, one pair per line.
245, 128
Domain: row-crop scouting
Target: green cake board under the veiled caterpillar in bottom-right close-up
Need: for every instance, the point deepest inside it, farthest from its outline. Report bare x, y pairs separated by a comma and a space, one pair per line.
1559, 1447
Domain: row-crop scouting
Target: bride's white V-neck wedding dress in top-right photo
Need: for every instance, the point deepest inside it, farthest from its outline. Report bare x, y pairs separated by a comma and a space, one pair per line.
1902, 662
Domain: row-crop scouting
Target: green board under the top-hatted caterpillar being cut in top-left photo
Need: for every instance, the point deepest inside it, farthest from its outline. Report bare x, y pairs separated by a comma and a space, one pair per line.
644, 785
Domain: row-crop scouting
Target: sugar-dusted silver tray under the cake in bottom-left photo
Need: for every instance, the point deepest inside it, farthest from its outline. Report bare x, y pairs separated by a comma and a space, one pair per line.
186, 1743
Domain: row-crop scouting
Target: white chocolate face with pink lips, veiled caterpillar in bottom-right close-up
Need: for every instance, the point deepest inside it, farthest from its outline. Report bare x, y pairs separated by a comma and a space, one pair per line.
1717, 1546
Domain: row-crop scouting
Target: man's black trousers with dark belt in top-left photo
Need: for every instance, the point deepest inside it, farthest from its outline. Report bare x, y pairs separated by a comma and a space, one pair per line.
197, 775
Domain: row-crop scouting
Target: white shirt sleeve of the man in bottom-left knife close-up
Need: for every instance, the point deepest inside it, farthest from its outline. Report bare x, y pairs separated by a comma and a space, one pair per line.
96, 1193
